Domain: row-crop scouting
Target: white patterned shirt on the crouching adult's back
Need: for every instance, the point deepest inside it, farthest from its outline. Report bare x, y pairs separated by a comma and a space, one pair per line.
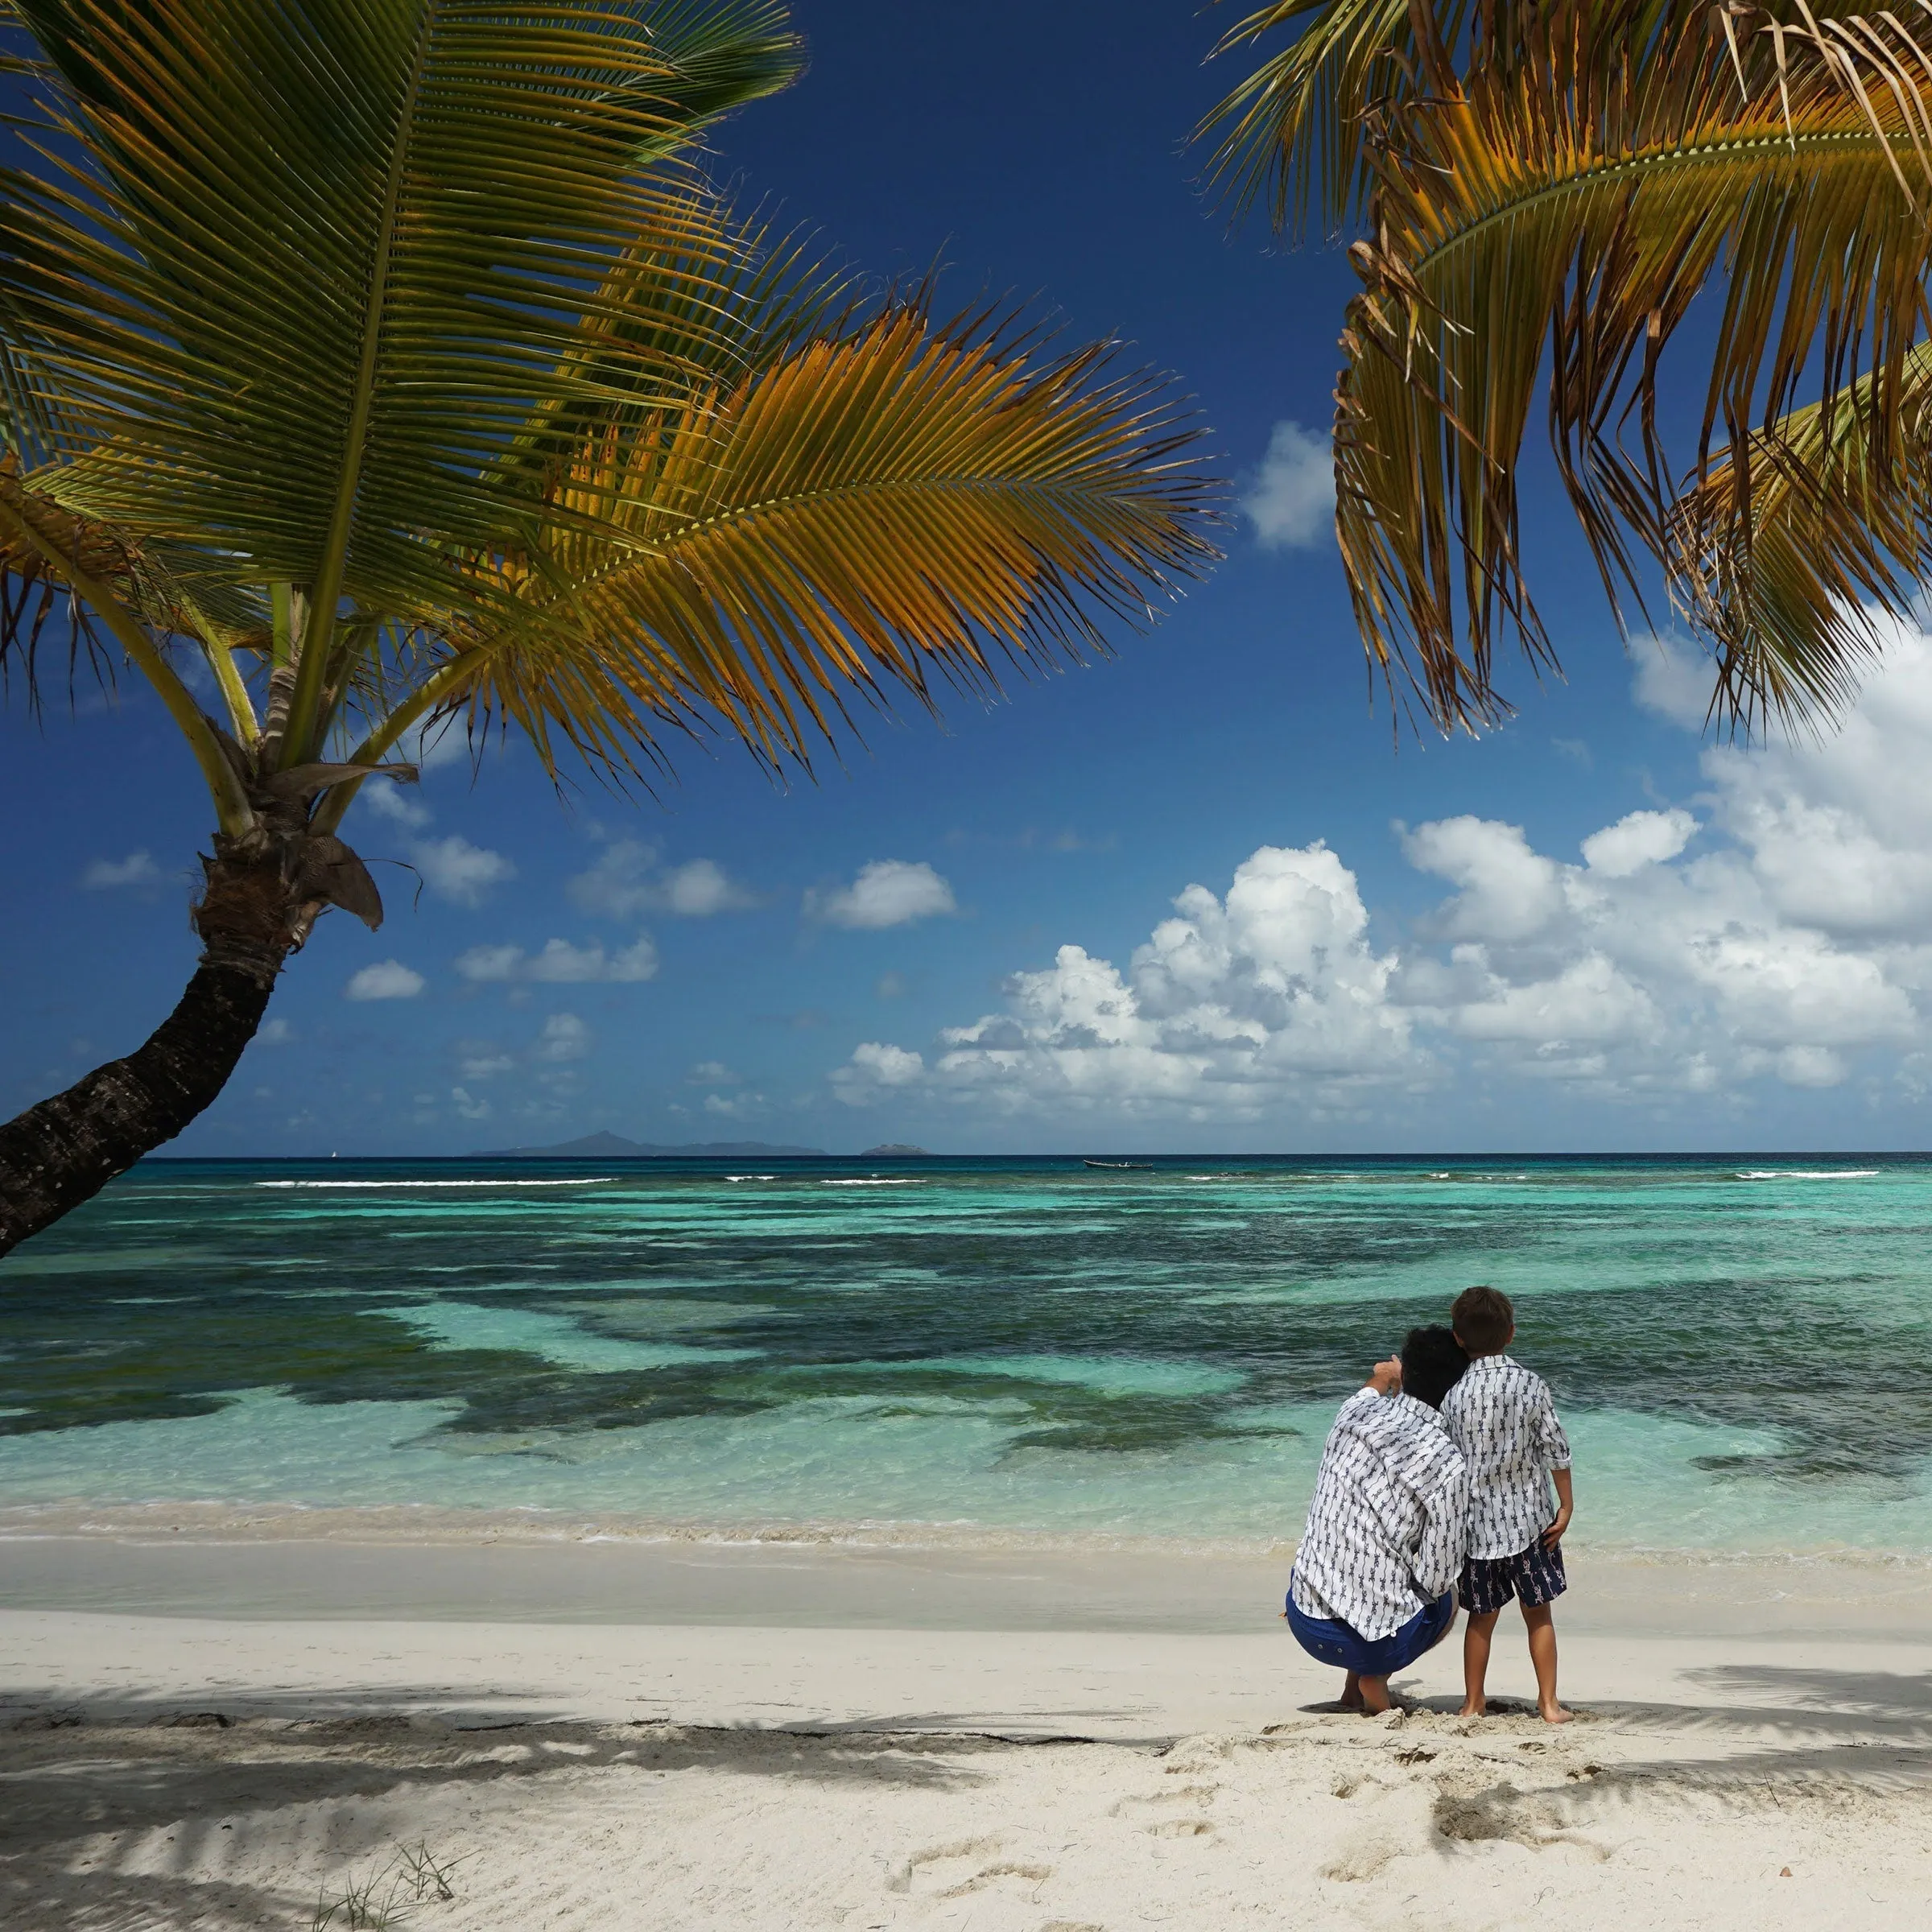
1390, 1518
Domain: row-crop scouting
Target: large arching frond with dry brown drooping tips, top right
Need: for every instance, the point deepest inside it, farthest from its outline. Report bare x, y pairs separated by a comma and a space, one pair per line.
1574, 204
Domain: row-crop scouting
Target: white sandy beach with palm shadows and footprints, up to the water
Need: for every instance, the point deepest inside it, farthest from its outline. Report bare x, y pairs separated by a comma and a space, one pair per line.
696, 1771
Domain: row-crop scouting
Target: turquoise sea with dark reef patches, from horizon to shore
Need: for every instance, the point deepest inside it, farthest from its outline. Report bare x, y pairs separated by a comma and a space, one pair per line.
988, 1346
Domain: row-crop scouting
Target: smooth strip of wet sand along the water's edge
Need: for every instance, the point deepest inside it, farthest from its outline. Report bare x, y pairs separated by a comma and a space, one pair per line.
192, 1572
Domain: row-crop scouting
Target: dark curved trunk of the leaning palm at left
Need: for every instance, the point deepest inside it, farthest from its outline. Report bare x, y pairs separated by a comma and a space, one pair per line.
65, 1151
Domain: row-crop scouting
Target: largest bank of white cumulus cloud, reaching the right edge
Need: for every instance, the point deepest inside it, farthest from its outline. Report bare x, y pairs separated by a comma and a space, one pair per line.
1778, 934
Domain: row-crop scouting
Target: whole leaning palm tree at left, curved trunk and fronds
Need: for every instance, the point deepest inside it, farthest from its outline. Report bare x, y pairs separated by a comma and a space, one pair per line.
368, 364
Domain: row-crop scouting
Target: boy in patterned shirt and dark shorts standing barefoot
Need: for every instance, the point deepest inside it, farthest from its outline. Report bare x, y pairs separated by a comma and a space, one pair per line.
1502, 1419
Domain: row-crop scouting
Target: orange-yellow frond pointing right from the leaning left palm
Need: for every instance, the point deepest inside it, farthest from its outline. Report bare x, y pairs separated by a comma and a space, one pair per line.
888, 503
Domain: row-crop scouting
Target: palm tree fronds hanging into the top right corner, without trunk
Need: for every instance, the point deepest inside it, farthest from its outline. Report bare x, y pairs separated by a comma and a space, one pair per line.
1572, 200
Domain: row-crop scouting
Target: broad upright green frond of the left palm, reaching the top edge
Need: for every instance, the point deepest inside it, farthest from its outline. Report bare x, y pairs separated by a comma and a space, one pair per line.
291, 279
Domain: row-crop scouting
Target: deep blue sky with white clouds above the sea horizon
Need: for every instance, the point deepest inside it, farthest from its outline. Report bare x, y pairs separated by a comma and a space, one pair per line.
1740, 961
